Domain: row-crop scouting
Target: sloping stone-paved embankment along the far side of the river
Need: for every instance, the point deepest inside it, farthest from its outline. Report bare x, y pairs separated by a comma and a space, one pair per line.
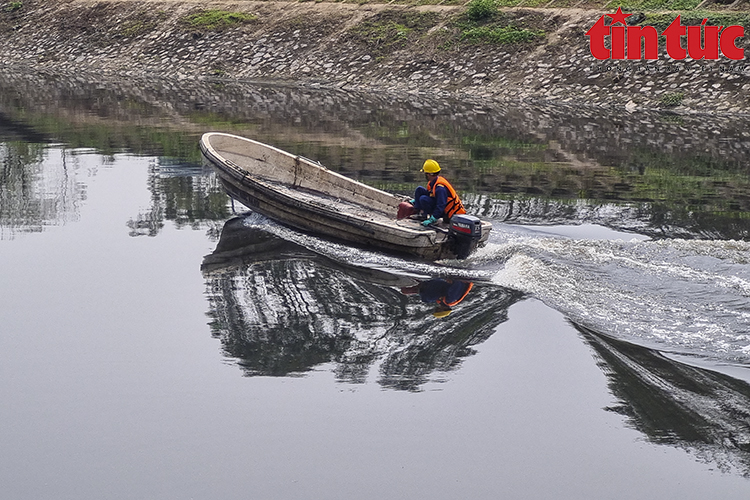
373, 47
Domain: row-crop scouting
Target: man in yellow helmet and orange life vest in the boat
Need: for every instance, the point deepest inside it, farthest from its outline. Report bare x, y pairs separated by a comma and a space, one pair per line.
438, 199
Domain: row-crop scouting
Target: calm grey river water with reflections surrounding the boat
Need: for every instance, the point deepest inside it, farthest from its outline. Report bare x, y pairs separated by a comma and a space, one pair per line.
158, 341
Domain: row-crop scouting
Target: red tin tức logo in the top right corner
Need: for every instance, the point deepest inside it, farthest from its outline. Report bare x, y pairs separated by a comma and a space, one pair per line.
642, 42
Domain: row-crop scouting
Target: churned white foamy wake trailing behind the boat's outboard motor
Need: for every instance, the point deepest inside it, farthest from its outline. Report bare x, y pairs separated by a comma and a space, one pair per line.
684, 296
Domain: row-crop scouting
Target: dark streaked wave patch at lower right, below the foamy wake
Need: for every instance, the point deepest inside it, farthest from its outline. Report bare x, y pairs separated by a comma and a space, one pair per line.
702, 411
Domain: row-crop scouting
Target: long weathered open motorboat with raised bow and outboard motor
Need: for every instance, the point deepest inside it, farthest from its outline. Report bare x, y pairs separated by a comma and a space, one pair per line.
303, 194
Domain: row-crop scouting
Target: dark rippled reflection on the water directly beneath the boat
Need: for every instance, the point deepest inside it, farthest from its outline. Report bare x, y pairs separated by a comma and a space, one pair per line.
281, 309
